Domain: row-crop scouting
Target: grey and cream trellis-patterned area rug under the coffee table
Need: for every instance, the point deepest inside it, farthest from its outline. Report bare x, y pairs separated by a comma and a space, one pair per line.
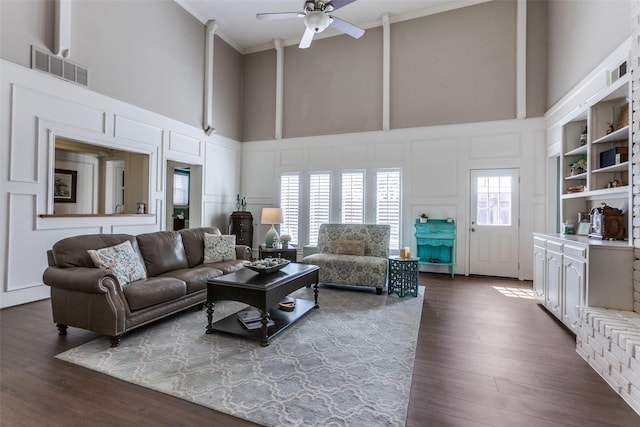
348, 363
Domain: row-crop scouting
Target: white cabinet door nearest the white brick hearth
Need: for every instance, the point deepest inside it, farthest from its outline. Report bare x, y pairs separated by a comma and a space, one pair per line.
573, 292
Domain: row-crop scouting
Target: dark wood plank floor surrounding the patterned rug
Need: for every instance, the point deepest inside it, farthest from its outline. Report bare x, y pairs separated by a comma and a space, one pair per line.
483, 358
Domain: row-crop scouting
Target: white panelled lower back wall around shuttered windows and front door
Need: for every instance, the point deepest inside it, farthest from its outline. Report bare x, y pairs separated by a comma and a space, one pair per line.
435, 161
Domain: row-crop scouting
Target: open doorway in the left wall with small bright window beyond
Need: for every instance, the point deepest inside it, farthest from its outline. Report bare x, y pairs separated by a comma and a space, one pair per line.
184, 196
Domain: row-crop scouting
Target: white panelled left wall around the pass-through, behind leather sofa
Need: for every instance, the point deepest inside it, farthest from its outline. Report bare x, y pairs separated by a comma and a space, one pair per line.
37, 107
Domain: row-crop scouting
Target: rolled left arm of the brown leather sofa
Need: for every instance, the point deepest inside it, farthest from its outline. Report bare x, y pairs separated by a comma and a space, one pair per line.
80, 279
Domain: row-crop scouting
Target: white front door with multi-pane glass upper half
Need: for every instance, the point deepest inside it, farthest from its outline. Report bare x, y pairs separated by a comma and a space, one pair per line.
494, 219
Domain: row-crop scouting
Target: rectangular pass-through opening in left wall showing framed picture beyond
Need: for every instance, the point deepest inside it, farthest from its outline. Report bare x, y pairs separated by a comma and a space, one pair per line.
92, 179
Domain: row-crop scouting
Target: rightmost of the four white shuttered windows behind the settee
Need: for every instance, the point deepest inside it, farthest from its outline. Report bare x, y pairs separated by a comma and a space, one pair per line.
388, 202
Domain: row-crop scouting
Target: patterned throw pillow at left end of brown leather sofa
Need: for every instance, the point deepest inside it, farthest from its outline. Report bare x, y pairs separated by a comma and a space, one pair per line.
121, 260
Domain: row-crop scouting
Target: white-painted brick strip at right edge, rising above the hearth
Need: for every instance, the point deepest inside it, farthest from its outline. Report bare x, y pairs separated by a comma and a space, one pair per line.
634, 67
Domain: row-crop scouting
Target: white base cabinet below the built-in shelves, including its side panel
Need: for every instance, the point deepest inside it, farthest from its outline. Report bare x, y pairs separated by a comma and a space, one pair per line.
574, 271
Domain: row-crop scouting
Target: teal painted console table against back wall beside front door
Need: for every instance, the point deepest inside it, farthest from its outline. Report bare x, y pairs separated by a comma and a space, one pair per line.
436, 242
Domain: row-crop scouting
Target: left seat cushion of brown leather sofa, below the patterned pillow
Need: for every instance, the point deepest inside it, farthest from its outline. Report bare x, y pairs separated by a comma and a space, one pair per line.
152, 291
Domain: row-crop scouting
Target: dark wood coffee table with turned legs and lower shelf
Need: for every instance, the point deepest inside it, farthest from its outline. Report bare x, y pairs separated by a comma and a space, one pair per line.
264, 292
